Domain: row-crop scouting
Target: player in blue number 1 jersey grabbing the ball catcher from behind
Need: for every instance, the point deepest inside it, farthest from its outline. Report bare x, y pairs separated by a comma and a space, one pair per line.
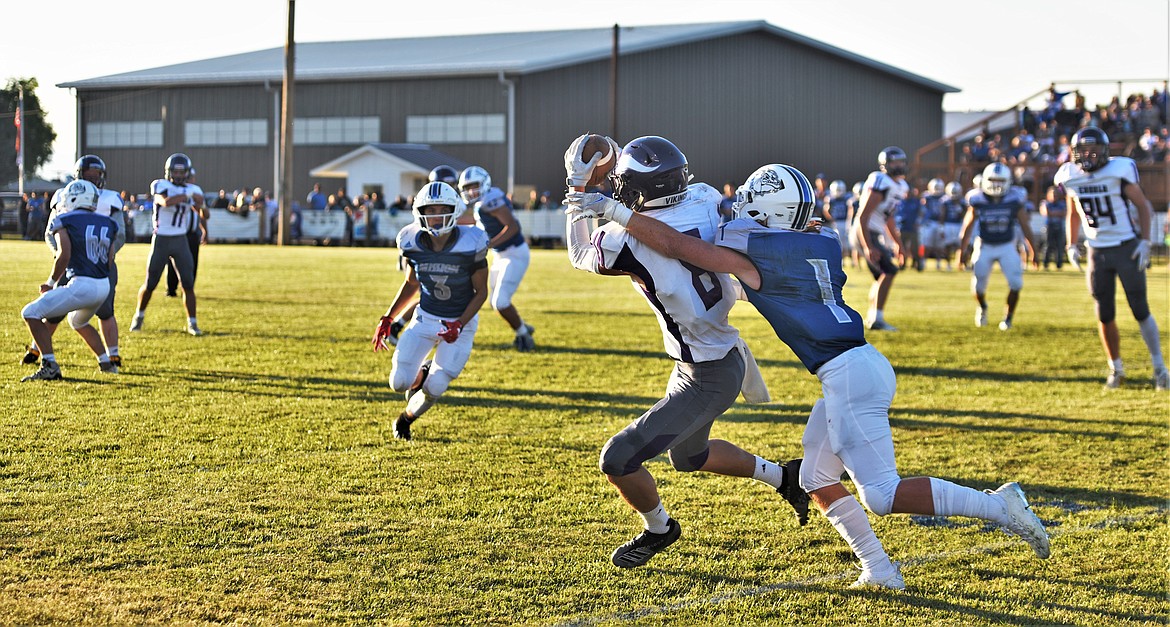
795, 280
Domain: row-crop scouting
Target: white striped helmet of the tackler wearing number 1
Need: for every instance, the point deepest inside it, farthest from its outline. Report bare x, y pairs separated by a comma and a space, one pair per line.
776, 196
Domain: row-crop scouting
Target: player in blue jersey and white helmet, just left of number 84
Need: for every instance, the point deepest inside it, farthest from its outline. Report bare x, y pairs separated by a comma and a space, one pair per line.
997, 208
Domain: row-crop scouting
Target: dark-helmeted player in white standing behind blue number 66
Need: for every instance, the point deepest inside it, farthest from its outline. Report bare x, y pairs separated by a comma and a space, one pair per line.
92, 169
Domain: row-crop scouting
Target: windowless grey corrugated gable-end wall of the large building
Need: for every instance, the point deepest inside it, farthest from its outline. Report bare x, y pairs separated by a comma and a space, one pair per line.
732, 106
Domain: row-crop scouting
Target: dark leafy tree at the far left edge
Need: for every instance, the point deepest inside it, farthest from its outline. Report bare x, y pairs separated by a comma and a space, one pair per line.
39, 134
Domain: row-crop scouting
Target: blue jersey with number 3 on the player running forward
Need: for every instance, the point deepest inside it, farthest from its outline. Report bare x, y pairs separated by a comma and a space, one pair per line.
445, 277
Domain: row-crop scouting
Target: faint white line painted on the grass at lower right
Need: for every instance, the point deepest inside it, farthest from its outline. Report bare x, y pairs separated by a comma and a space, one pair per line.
635, 615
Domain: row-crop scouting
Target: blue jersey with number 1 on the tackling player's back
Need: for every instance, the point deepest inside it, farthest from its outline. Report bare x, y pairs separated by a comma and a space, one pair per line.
801, 288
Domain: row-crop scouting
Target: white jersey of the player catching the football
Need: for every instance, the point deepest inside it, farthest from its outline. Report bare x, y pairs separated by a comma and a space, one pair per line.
692, 305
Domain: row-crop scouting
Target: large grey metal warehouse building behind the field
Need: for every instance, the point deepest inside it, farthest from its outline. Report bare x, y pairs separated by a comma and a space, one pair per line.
732, 95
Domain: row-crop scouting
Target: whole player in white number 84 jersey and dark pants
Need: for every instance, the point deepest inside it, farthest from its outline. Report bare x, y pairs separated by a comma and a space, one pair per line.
1100, 191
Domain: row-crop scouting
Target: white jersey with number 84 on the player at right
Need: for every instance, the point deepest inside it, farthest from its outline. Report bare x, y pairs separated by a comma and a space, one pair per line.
1100, 198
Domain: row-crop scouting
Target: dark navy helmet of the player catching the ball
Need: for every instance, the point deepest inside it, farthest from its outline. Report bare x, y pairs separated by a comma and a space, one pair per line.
651, 174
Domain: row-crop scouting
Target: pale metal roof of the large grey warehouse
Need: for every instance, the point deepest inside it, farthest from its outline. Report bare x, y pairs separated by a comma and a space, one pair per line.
459, 56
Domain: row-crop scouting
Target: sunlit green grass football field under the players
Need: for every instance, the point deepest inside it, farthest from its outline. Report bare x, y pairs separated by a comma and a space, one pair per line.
250, 477
